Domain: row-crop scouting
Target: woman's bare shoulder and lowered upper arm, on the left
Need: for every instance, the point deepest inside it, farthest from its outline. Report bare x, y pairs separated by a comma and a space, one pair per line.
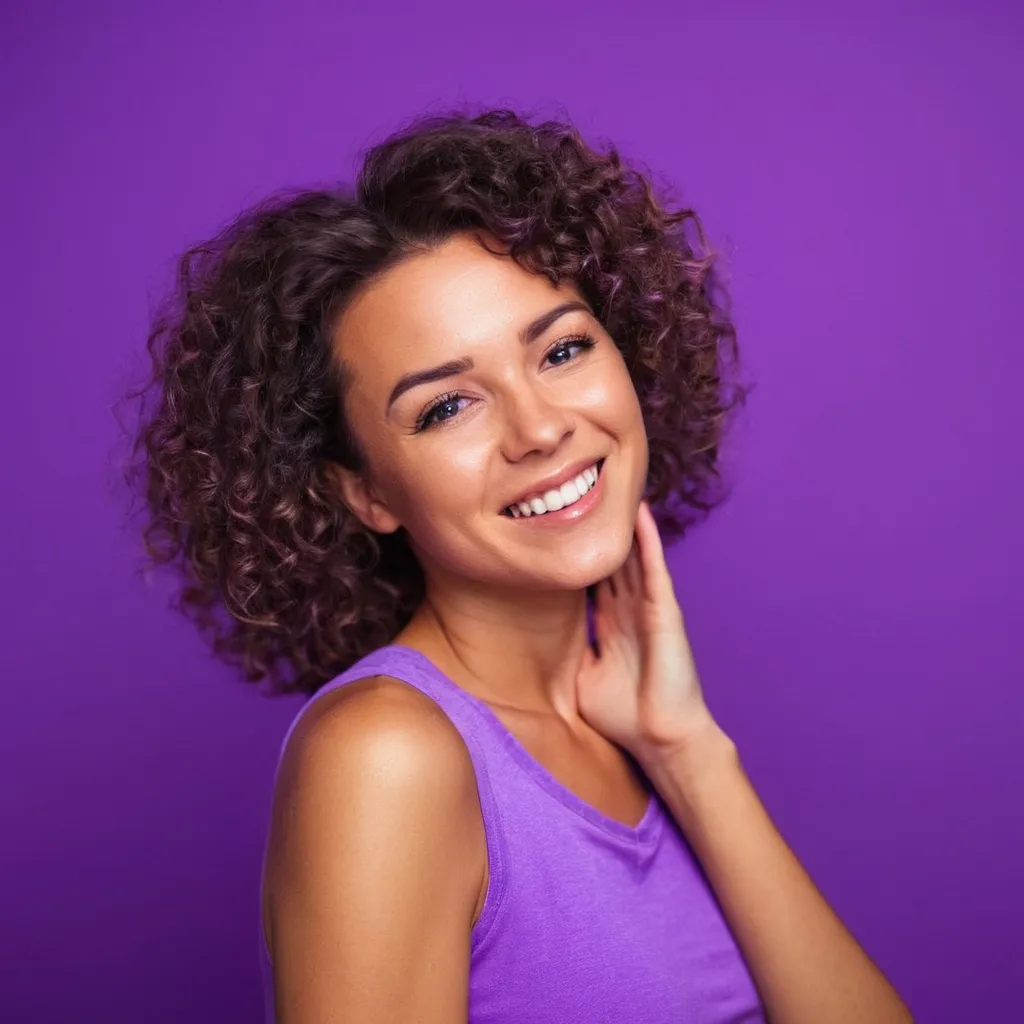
376, 859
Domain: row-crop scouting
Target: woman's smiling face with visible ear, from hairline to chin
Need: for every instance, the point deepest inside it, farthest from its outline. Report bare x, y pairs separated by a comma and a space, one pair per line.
485, 400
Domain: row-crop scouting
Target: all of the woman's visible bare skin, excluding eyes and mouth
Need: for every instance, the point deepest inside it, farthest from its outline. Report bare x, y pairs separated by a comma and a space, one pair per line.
377, 862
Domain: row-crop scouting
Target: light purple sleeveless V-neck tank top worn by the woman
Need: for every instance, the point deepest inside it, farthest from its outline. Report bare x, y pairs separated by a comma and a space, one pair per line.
585, 919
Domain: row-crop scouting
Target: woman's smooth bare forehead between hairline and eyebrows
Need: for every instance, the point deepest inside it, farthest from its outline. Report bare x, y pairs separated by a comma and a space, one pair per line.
440, 306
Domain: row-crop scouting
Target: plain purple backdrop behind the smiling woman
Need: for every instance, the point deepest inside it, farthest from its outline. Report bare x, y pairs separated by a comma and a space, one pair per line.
857, 607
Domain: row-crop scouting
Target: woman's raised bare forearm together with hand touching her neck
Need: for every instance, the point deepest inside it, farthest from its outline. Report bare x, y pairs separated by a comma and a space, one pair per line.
643, 691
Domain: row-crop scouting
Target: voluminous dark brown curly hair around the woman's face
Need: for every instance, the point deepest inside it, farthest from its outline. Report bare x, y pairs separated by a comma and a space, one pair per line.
244, 411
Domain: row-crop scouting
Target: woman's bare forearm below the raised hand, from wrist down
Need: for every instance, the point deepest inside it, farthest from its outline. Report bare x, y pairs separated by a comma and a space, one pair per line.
808, 968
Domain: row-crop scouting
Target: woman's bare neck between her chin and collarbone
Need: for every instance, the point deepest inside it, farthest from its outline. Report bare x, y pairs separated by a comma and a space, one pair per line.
514, 649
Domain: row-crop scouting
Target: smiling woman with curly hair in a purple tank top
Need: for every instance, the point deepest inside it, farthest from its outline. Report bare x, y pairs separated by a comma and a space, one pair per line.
406, 438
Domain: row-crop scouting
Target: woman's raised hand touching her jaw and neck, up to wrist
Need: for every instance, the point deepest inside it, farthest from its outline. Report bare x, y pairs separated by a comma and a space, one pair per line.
642, 691
